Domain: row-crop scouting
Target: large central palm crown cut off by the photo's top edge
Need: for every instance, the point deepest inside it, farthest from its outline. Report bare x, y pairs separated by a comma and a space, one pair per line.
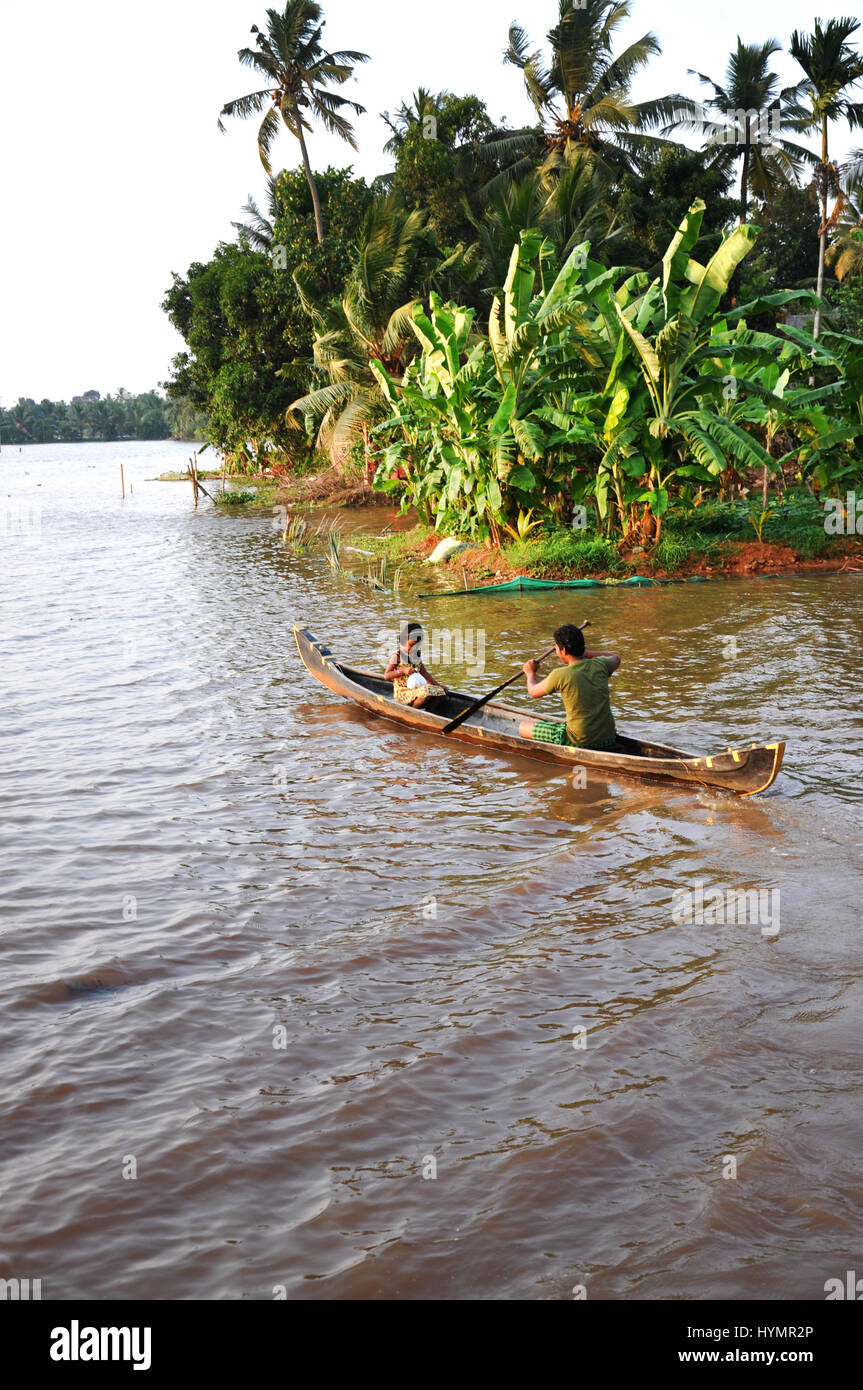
582, 91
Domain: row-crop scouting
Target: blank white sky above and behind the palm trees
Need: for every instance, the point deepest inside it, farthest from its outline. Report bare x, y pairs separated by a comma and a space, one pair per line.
113, 173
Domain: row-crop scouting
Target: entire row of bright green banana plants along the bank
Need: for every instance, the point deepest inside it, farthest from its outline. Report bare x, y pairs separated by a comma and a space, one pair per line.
614, 391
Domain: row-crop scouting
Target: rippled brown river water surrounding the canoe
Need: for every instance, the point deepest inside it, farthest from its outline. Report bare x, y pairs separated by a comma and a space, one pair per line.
295, 1003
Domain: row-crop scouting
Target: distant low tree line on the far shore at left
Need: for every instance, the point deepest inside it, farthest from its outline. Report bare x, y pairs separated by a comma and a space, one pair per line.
92, 416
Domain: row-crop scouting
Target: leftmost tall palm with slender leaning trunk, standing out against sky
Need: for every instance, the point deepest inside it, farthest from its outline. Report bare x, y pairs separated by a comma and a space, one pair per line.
298, 72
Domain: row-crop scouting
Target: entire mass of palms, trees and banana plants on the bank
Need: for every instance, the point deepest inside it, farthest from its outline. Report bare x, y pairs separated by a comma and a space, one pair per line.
519, 326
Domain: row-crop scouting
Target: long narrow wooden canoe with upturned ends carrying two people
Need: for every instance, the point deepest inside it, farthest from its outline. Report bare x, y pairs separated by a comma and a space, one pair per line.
743, 771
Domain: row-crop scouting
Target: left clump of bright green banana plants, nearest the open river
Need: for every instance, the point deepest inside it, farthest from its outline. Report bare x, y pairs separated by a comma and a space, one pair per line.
493, 418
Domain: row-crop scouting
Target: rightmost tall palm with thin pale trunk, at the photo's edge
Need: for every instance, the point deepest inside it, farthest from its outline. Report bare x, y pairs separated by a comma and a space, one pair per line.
833, 69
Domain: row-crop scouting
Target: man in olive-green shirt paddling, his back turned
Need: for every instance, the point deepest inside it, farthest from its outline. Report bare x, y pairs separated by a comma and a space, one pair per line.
583, 685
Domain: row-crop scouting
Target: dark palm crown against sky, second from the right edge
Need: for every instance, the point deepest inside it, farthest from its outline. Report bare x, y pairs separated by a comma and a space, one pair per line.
744, 119
